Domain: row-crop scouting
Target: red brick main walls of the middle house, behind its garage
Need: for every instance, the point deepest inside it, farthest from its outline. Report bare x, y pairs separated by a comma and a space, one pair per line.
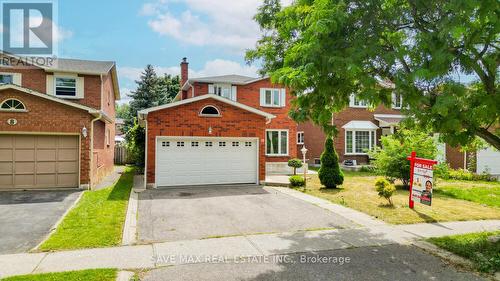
250, 95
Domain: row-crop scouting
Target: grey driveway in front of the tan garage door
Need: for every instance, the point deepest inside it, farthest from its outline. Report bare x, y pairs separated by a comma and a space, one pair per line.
26, 217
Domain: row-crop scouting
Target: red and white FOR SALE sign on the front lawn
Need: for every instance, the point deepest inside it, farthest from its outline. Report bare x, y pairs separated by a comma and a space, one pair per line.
421, 180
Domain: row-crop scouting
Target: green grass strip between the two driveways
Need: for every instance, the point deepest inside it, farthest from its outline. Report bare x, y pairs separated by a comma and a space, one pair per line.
97, 220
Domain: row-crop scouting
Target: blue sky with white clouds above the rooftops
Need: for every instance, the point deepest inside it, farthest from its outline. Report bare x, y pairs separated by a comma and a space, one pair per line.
212, 34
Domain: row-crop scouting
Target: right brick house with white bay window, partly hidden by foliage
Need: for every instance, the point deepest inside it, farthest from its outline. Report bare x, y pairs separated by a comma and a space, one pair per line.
359, 130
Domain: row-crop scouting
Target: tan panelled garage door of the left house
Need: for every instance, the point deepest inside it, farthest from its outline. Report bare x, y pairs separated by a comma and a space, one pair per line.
39, 161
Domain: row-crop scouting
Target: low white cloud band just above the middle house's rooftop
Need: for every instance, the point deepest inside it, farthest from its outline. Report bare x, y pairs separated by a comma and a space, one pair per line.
211, 68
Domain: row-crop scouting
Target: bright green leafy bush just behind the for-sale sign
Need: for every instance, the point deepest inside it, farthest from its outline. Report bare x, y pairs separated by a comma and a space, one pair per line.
390, 160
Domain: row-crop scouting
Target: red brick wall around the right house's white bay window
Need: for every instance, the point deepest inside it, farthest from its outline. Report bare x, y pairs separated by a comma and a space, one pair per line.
314, 137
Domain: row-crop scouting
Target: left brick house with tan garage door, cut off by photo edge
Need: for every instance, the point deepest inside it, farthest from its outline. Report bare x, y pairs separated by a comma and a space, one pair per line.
56, 122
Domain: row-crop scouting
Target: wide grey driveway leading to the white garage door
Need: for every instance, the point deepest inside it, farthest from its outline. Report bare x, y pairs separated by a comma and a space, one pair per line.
215, 211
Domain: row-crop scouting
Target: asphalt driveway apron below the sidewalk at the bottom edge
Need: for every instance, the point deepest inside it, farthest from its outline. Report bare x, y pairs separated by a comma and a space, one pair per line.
390, 262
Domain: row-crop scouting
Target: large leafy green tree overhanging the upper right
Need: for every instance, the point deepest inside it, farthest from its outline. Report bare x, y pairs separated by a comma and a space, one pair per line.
327, 50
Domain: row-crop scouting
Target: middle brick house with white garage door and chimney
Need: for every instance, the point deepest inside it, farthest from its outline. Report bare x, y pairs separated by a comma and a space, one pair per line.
219, 130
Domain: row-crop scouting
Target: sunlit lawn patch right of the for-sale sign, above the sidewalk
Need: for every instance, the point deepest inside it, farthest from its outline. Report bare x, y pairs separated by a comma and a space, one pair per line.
487, 193
